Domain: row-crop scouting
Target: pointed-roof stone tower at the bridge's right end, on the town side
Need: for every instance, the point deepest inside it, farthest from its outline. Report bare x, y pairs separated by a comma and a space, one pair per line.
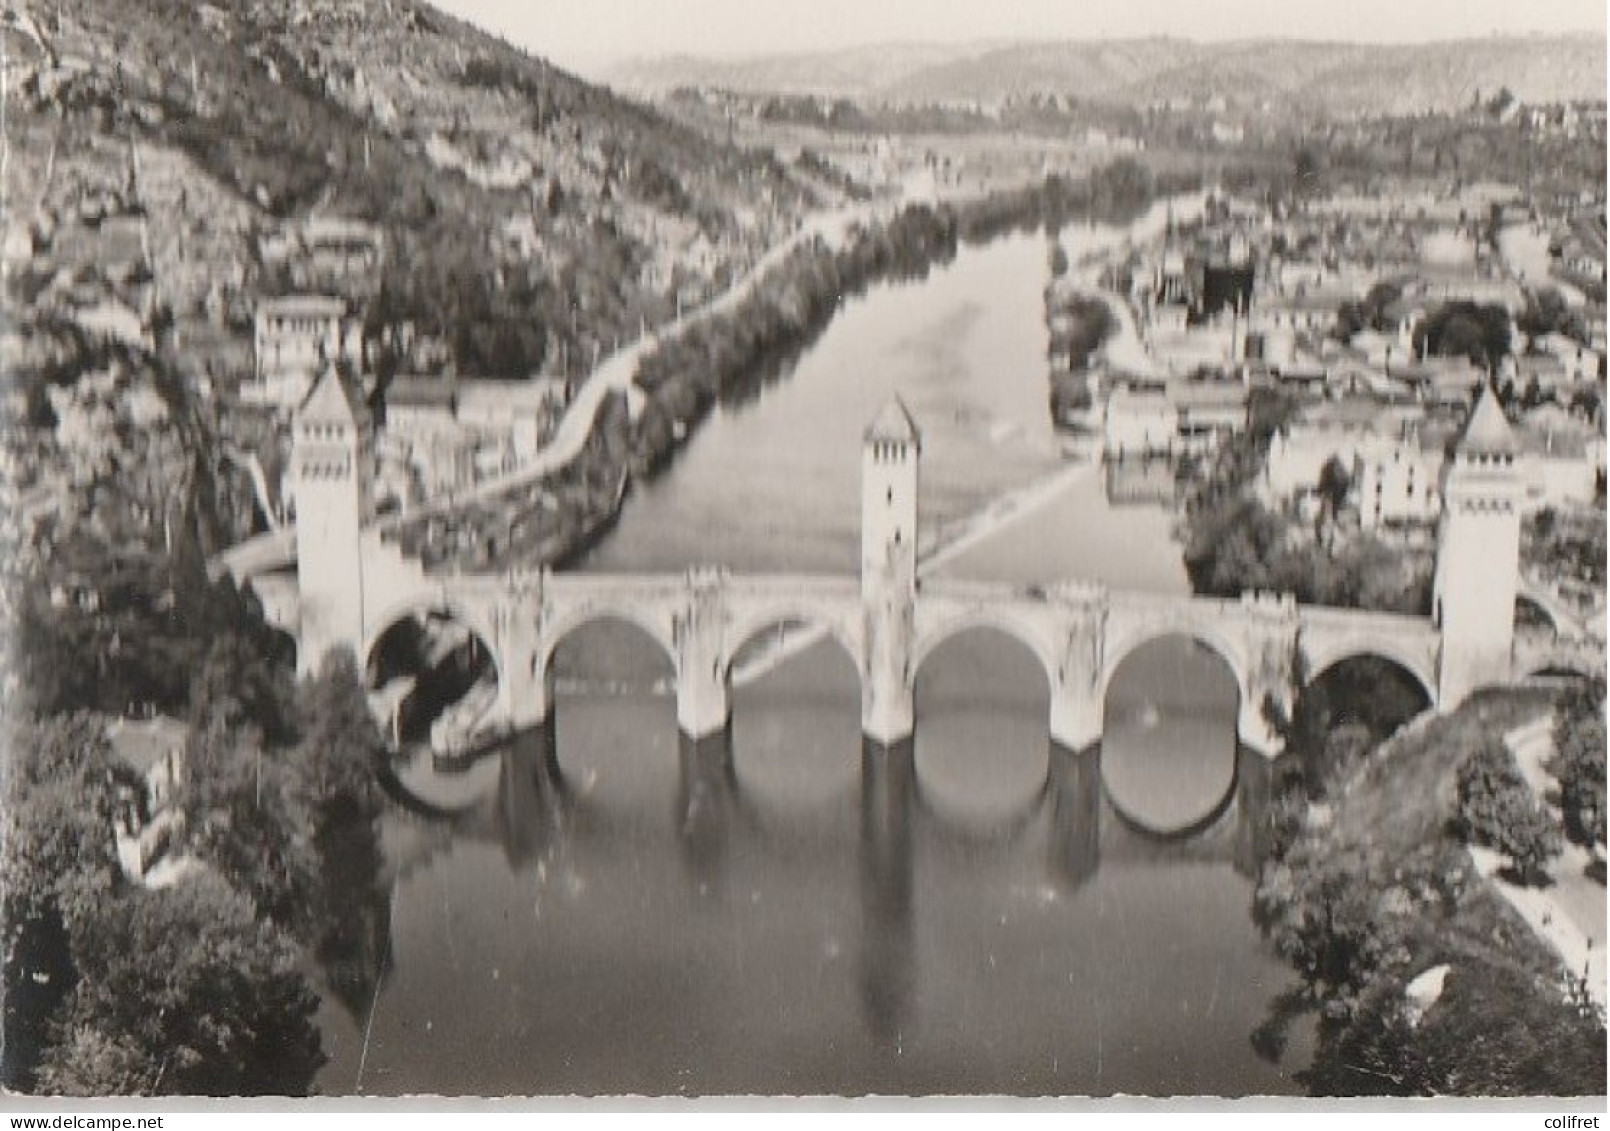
1479, 555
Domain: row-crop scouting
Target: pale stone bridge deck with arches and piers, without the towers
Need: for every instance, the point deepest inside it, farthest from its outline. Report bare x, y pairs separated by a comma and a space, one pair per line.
1080, 632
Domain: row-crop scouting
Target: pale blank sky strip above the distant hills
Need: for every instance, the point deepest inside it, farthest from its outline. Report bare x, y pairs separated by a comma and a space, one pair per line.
587, 35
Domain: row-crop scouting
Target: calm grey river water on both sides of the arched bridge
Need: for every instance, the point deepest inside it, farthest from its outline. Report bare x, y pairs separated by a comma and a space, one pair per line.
616, 911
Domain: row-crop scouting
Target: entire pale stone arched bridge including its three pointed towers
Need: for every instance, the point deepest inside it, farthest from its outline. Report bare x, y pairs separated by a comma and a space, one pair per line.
355, 586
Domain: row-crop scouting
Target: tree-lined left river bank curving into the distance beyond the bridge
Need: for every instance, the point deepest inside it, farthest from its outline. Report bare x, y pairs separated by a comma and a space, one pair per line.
671, 383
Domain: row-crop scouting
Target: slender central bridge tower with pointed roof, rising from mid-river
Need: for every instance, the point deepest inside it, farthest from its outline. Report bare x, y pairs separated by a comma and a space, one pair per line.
890, 474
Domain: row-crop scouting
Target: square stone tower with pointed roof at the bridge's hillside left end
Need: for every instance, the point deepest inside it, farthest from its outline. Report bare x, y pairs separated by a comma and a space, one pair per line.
331, 486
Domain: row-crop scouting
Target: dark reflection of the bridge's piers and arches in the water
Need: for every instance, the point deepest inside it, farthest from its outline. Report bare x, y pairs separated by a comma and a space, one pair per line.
724, 835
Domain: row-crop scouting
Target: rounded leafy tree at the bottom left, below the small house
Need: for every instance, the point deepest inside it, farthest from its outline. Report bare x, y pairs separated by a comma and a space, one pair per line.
184, 992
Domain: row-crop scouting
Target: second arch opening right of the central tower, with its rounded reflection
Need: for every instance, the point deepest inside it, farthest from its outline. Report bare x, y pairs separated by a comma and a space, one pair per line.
1170, 747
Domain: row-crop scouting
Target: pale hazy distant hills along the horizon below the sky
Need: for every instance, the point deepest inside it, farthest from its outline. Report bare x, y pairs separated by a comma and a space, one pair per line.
1339, 78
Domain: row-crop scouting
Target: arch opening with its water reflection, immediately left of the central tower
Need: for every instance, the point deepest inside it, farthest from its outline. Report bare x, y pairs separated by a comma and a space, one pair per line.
795, 732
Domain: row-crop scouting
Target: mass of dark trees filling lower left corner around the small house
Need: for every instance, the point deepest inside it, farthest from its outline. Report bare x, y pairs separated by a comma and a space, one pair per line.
200, 987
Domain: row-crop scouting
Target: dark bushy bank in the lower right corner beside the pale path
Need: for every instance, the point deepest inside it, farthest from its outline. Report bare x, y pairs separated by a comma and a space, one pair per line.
1373, 889
